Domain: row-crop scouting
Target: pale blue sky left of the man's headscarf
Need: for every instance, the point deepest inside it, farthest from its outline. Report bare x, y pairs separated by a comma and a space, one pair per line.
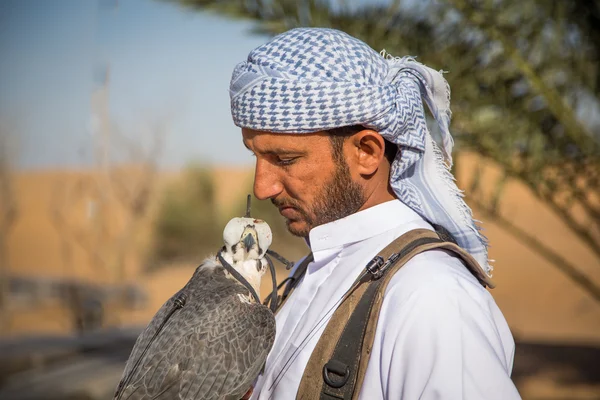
167, 66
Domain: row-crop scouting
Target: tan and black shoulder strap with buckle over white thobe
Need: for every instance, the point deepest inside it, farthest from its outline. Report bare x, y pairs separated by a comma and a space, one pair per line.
338, 363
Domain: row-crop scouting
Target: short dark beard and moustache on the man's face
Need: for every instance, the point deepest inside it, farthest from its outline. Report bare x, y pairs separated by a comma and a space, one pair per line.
340, 197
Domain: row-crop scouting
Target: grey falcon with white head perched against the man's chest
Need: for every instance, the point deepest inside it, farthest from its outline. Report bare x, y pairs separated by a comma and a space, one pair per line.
211, 339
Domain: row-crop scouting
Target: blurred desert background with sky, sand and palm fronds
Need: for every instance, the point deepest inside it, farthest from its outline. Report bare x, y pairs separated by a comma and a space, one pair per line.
120, 165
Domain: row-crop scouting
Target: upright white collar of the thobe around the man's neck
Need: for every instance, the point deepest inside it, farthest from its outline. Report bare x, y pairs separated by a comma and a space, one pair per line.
360, 226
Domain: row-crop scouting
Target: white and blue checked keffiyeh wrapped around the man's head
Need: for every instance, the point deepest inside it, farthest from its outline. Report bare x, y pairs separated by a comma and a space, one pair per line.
314, 79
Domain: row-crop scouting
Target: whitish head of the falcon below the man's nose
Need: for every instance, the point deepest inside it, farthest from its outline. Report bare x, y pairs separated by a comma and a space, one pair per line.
246, 242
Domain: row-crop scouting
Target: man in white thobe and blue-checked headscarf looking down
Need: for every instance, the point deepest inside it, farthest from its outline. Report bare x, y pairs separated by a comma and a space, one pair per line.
343, 150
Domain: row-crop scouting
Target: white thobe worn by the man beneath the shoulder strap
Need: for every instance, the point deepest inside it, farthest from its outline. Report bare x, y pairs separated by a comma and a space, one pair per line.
440, 334
